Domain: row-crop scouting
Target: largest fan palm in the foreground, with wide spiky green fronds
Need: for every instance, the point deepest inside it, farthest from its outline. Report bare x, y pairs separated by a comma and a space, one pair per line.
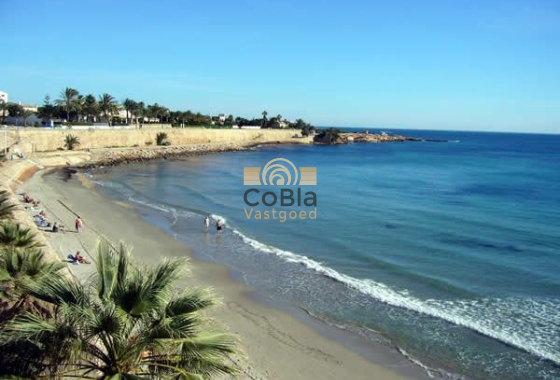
128, 322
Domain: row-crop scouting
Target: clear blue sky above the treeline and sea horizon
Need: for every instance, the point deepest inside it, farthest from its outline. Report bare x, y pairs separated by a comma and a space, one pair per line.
455, 65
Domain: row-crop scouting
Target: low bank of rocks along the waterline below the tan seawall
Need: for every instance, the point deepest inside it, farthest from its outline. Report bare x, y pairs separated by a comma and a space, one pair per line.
114, 157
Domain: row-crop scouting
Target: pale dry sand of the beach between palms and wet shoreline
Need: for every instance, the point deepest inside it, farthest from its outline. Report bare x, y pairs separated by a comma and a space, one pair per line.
277, 345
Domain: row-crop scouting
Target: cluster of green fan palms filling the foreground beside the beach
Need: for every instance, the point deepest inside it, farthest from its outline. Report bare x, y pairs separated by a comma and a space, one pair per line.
125, 322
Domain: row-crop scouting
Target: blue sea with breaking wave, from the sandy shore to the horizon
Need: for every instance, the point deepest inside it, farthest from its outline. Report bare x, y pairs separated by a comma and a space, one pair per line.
448, 250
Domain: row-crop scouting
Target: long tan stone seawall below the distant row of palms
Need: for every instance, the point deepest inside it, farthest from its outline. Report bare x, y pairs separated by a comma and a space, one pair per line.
31, 140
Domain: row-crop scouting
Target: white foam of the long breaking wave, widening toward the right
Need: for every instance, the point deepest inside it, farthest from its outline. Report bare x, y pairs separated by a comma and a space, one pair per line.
526, 324
